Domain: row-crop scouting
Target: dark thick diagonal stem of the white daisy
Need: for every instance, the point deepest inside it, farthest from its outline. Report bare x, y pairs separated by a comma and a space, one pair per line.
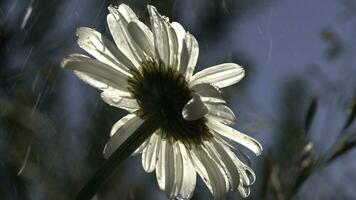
143, 132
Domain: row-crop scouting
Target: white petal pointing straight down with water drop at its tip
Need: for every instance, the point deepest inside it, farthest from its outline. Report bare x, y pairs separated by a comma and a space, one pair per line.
185, 175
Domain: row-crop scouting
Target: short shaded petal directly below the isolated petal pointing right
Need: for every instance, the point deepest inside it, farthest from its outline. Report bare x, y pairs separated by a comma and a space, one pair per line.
208, 93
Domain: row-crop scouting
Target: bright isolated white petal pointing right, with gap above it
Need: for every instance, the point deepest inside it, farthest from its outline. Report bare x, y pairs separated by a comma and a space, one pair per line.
220, 75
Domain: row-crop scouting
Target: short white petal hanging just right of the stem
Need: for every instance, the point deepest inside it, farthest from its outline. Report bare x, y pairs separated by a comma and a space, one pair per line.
150, 154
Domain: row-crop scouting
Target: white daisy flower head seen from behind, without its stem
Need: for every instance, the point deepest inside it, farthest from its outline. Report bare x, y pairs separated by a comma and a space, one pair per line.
151, 70
